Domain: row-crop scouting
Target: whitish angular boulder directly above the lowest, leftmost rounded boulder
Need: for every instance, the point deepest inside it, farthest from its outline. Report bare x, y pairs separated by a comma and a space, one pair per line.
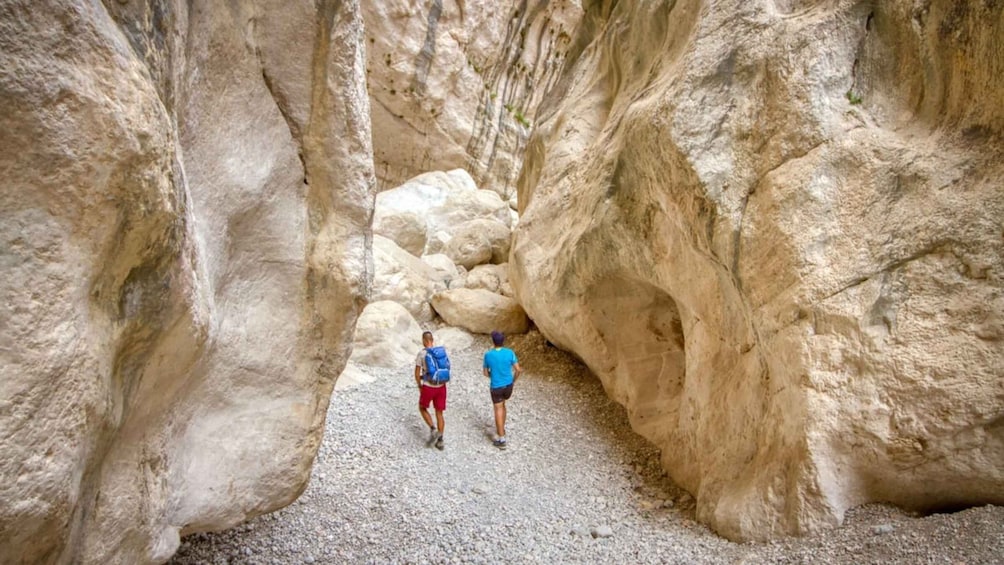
403, 278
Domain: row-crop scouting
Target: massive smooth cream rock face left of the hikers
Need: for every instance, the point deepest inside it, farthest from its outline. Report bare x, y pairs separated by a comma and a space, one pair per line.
183, 216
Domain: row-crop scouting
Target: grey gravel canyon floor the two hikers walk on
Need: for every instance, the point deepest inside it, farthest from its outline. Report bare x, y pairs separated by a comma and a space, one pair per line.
576, 486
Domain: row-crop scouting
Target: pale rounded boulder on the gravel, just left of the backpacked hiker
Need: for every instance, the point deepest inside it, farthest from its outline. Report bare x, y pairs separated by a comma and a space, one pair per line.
387, 336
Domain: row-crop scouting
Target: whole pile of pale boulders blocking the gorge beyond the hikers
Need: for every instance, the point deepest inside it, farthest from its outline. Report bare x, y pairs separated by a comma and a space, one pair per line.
441, 247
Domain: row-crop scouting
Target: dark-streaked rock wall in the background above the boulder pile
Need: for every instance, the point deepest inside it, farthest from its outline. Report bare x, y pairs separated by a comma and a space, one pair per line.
456, 84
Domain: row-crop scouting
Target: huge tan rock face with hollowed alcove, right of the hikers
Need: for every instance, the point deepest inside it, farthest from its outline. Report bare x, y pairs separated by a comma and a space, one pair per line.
776, 231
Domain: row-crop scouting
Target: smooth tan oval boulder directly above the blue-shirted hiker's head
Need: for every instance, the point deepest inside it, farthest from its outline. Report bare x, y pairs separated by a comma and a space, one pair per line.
480, 312
